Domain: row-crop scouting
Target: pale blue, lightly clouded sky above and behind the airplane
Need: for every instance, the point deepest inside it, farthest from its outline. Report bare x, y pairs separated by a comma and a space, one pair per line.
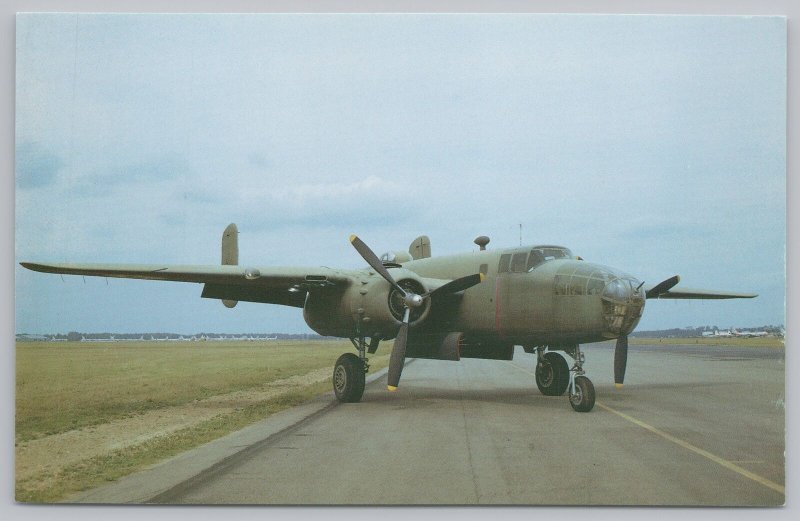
653, 144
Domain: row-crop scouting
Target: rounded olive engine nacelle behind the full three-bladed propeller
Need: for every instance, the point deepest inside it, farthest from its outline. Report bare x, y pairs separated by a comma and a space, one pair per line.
370, 306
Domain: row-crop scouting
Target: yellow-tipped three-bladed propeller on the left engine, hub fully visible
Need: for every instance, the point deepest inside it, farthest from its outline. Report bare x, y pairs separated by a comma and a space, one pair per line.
410, 300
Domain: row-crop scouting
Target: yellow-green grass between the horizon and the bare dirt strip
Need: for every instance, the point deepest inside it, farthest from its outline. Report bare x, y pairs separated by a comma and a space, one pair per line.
65, 386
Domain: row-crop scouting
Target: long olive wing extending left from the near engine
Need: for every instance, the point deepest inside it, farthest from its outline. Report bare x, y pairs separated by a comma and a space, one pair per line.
276, 285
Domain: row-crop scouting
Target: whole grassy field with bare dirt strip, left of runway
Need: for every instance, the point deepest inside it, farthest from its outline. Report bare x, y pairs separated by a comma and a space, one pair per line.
65, 391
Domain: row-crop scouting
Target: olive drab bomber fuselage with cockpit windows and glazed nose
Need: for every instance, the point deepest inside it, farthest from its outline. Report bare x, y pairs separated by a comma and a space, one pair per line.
559, 301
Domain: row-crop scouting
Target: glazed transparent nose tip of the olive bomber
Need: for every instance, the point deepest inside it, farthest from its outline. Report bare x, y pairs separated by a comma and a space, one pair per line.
623, 303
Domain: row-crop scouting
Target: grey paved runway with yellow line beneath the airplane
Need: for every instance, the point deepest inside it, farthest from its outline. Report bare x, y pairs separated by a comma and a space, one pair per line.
694, 425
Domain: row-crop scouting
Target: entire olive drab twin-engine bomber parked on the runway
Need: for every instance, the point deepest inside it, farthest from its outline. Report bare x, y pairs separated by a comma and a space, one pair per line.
470, 305
